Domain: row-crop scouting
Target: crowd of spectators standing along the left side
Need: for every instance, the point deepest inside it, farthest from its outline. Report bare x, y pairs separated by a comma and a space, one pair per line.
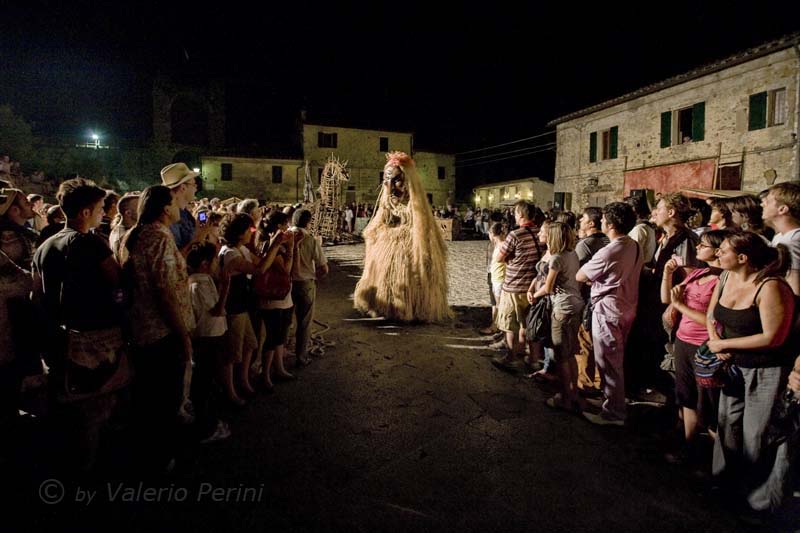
151, 311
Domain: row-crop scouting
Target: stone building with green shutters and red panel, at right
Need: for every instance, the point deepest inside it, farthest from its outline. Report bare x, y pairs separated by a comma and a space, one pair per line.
730, 125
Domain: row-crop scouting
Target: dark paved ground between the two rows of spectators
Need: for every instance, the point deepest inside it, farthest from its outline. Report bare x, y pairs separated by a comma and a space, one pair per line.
408, 428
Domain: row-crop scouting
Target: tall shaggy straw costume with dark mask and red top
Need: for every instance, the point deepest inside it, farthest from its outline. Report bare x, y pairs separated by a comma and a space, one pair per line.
405, 267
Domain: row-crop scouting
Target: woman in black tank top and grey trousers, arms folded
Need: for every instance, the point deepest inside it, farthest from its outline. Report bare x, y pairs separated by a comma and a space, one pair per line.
749, 318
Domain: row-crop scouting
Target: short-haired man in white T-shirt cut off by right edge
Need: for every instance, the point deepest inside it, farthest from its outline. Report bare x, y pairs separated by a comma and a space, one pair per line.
781, 212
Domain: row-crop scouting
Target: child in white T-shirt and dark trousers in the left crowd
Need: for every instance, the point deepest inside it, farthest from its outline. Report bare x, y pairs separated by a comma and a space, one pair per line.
208, 342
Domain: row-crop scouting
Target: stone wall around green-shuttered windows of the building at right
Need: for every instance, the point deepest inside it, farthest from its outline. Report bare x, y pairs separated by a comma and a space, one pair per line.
726, 137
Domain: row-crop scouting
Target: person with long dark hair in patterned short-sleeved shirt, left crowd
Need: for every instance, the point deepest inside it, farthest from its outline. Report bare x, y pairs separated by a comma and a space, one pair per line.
161, 321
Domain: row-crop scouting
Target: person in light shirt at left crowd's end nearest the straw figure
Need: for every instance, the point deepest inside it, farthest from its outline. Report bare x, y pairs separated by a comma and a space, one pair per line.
309, 266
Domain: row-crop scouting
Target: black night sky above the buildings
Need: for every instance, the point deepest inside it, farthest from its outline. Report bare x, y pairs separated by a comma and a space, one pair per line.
460, 77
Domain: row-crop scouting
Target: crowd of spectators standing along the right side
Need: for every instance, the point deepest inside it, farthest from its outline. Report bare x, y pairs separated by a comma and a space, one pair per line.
696, 299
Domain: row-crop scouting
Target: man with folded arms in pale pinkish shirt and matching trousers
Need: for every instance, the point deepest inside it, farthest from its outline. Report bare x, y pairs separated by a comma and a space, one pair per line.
614, 274
